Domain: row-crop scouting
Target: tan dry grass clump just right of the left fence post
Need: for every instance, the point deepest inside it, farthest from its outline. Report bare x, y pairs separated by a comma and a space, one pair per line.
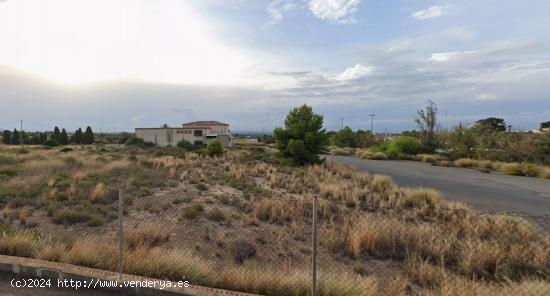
149, 235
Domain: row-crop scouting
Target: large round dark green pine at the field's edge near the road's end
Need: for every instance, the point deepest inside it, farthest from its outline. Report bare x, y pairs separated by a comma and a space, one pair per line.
302, 138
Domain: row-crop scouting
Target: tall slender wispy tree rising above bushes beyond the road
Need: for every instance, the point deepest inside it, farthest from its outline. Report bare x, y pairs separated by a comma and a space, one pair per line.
426, 121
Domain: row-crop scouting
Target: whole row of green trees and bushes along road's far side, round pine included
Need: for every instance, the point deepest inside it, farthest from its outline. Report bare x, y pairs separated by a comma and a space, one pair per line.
303, 138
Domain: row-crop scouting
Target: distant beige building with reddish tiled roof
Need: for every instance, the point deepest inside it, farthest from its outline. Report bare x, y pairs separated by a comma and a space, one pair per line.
196, 132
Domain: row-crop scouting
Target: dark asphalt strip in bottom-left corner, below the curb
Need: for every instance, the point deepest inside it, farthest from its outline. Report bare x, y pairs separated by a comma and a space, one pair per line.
7, 290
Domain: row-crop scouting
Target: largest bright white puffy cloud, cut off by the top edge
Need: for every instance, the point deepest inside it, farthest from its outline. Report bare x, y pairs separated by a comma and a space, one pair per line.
334, 10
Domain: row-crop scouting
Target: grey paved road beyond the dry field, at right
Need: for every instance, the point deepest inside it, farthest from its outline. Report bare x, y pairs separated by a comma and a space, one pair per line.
487, 192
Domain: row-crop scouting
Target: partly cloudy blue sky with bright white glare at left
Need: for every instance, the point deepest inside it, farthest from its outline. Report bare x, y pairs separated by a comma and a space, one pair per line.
120, 64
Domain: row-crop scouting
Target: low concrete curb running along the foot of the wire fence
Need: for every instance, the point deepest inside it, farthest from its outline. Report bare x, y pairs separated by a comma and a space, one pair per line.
61, 271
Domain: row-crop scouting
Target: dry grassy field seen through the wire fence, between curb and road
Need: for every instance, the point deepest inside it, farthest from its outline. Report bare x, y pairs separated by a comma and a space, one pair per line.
240, 224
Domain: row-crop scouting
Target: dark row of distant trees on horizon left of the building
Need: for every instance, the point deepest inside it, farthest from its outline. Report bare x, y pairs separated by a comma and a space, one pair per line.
54, 138
